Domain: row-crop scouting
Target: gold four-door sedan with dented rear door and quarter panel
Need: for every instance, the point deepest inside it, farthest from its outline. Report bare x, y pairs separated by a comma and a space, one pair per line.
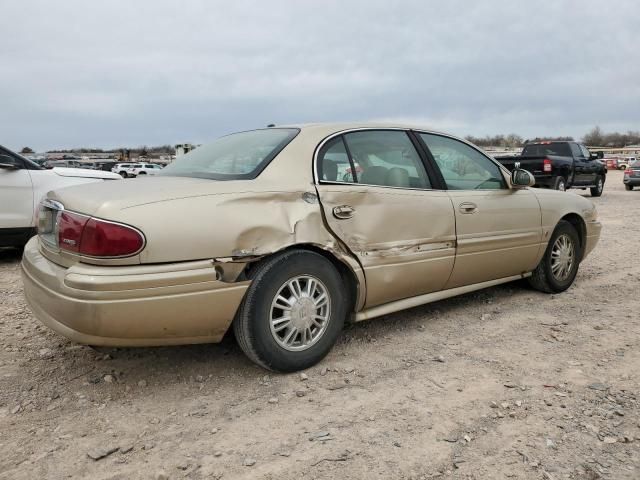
284, 234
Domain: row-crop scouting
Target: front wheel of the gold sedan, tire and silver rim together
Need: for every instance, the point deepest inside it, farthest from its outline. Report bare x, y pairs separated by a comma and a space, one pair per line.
559, 266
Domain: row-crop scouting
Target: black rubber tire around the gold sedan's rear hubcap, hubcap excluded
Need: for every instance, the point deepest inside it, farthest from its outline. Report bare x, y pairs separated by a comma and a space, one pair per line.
252, 325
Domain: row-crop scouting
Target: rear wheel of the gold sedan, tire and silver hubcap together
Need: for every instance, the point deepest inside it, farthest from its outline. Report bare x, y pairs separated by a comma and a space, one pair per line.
292, 313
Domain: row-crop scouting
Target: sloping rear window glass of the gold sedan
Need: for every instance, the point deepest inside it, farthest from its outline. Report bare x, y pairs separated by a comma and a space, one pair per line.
233, 157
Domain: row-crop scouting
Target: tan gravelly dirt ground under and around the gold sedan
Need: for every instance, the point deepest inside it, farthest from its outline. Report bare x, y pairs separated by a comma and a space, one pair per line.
504, 383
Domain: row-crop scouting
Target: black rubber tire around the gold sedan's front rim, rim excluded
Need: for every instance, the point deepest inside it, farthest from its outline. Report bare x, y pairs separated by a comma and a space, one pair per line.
542, 277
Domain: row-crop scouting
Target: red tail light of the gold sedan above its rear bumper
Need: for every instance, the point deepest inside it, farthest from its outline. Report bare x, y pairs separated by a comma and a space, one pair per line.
97, 238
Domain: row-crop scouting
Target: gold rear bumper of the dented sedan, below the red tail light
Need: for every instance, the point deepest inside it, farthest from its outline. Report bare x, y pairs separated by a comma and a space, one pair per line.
133, 305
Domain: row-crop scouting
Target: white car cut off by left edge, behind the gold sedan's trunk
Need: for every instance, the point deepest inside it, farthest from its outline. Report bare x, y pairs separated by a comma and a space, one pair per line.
22, 186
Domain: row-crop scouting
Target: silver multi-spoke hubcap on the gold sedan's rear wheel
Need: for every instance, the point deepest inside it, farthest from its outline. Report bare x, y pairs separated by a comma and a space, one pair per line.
300, 313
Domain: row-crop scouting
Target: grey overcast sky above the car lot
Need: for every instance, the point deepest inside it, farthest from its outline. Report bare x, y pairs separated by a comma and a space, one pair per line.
149, 72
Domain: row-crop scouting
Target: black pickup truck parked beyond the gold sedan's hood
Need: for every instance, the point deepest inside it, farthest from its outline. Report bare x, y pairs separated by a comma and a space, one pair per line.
561, 165
